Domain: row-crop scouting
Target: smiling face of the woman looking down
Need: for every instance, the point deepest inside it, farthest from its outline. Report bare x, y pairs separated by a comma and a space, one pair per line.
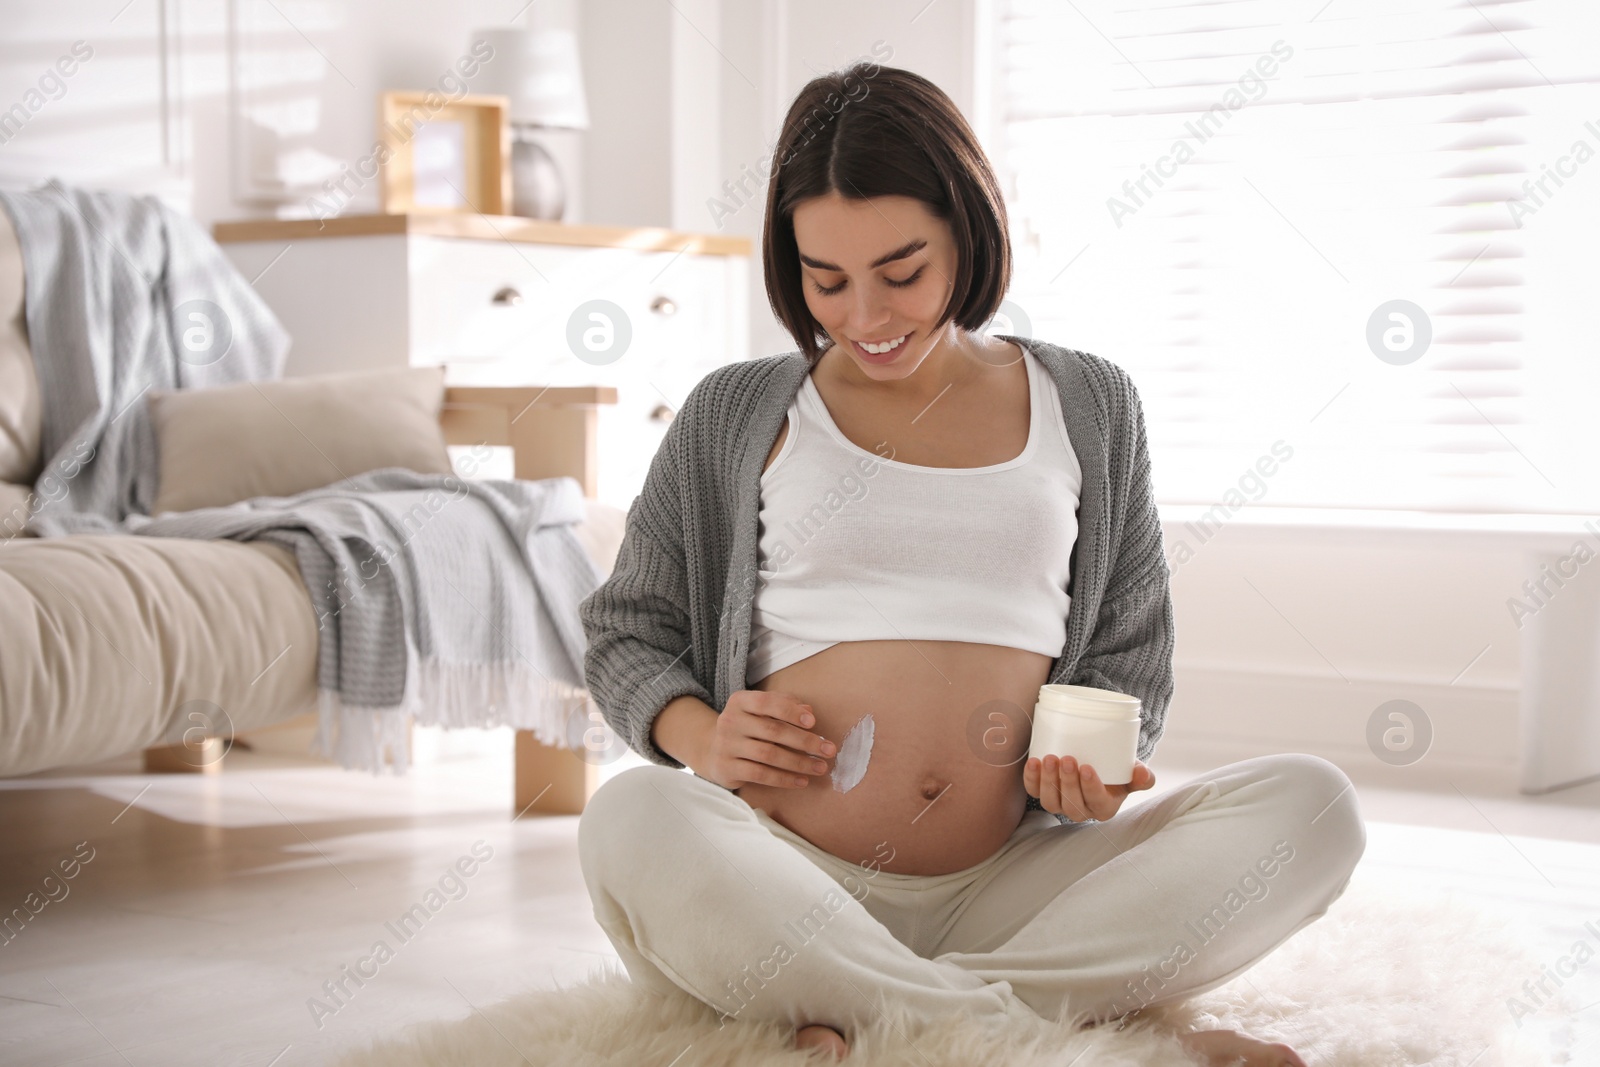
876, 273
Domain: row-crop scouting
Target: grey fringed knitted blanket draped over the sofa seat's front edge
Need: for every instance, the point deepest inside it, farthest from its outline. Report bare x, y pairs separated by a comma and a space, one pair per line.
441, 599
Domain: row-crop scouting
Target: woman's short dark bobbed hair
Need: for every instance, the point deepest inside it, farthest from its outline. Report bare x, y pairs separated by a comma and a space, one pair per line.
881, 132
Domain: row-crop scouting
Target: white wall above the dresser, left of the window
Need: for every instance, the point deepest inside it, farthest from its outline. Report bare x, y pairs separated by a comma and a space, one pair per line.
247, 108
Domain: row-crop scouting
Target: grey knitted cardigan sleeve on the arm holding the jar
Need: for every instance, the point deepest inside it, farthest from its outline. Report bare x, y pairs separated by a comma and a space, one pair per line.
1132, 645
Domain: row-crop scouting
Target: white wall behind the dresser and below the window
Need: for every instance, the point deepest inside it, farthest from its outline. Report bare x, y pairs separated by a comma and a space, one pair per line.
1286, 641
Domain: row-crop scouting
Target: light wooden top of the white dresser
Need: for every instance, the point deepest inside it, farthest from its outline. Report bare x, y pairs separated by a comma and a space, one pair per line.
482, 228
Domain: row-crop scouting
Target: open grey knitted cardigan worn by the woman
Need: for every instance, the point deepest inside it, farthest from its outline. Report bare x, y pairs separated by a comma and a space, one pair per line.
674, 617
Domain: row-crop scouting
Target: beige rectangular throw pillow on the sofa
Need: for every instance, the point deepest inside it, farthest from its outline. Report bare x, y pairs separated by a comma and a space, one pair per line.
281, 438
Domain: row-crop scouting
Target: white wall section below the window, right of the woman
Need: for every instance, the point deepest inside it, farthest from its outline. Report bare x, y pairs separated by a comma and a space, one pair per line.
1292, 641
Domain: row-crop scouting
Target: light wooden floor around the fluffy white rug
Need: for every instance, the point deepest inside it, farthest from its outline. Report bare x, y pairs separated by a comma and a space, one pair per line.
217, 908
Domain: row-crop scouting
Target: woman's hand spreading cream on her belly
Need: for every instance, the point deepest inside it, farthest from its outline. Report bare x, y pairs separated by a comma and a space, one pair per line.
764, 738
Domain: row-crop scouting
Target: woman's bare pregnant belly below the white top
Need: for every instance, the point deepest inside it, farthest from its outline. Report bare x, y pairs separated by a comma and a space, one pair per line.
943, 785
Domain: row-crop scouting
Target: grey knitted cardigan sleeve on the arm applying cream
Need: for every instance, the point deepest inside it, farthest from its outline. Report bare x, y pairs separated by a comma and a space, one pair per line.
638, 623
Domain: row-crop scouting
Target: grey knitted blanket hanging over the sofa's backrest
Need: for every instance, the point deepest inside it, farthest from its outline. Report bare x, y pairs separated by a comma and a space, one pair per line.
124, 295
